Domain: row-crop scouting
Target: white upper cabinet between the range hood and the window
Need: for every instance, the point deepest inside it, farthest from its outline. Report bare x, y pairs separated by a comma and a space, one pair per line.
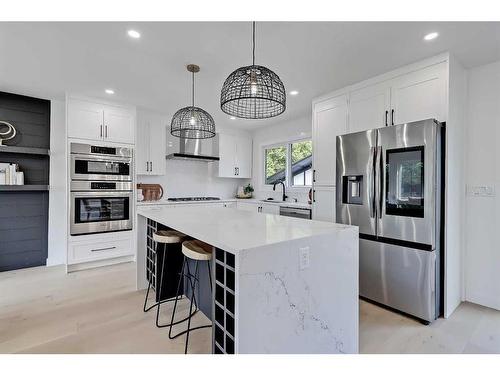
235, 154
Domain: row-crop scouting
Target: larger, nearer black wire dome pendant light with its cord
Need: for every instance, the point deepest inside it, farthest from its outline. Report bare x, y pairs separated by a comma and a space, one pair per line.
253, 92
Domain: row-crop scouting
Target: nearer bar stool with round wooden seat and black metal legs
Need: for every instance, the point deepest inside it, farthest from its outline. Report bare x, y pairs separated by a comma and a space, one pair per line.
197, 251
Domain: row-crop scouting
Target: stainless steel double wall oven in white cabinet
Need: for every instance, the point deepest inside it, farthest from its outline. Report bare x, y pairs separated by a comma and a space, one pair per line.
101, 198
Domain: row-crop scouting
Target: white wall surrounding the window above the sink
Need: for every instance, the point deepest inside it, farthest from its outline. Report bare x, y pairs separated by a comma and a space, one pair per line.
299, 128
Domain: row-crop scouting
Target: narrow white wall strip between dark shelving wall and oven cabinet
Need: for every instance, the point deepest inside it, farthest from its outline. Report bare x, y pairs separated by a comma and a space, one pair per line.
57, 179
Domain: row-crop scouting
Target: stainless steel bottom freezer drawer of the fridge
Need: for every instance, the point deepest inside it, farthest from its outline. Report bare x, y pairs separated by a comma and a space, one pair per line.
399, 277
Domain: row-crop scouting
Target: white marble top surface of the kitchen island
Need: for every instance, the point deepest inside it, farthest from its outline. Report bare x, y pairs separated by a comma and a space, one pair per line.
233, 230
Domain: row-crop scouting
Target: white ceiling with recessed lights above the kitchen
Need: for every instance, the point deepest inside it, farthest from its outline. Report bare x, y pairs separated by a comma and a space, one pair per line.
49, 59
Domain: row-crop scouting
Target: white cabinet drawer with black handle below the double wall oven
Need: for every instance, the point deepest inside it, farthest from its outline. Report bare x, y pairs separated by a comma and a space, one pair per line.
83, 252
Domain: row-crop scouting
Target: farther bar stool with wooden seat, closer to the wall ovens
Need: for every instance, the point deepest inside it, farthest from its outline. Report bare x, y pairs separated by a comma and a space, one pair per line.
171, 241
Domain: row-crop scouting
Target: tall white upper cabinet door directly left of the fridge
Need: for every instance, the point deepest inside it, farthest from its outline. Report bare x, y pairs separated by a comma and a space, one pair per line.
329, 120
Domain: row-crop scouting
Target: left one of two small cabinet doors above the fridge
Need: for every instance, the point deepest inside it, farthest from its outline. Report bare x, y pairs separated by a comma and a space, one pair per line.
369, 108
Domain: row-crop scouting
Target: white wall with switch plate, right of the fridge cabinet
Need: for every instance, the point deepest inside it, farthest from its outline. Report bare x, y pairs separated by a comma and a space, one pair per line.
482, 248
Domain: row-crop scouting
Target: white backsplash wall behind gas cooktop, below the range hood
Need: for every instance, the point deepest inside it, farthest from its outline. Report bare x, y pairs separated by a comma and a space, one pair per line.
194, 178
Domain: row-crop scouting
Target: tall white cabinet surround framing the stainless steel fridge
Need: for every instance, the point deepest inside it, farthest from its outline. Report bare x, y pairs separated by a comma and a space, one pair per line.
433, 88
